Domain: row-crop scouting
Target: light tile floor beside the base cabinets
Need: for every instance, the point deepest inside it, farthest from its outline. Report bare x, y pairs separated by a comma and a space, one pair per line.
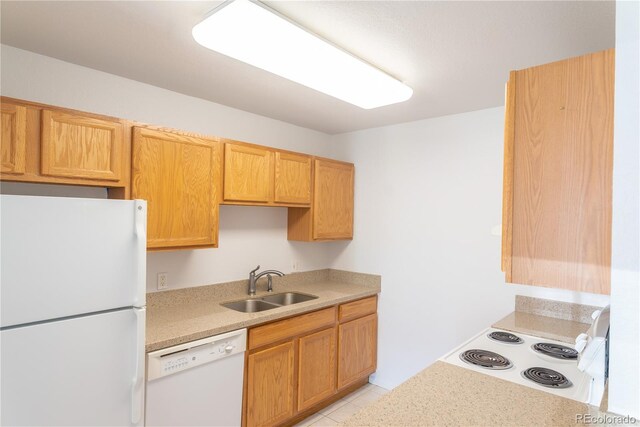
344, 408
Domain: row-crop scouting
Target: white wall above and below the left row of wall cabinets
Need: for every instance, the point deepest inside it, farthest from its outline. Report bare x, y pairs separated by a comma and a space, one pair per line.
248, 235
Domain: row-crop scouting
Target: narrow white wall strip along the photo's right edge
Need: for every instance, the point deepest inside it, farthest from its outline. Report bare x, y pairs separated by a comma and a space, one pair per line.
624, 380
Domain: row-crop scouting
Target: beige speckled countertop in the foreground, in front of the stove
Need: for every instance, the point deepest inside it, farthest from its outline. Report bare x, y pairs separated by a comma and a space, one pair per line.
448, 395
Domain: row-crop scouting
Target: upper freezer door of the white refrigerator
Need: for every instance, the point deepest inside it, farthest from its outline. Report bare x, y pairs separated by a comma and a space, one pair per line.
65, 256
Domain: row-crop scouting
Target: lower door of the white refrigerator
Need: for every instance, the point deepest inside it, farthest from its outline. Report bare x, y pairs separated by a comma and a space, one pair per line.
83, 371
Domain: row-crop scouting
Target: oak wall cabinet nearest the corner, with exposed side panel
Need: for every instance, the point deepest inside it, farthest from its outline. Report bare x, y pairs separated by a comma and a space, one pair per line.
331, 214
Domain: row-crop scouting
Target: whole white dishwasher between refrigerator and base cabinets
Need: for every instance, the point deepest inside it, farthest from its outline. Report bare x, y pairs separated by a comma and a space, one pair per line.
198, 383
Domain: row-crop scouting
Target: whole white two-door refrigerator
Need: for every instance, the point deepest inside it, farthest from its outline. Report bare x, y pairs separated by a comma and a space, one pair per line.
72, 291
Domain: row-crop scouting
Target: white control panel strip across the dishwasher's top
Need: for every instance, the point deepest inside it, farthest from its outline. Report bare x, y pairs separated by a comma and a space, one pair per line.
184, 356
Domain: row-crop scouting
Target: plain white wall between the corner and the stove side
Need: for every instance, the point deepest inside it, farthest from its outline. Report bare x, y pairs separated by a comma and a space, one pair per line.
428, 194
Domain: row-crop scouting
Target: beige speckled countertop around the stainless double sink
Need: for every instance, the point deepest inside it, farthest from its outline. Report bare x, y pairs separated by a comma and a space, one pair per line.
196, 313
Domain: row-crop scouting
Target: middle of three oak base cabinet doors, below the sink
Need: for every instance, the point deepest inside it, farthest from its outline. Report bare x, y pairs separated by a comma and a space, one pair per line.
316, 368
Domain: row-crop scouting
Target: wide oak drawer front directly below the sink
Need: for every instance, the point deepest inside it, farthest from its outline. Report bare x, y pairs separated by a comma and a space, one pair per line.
288, 328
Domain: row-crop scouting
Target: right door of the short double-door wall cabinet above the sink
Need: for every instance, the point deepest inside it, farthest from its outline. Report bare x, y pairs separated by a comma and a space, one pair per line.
292, 178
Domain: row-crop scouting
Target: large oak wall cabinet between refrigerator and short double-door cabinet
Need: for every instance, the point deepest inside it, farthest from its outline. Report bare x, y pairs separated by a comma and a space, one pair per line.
177, 176
